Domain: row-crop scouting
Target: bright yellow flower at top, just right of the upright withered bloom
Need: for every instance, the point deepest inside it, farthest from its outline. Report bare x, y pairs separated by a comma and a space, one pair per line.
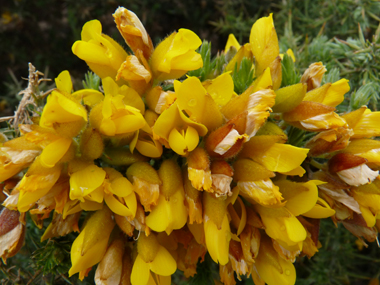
176, 55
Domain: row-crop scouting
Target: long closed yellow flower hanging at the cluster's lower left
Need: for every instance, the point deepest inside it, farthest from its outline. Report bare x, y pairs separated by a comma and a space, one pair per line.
90, 246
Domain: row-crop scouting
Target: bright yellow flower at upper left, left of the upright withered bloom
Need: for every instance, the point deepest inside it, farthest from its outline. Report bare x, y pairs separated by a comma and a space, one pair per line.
102, 54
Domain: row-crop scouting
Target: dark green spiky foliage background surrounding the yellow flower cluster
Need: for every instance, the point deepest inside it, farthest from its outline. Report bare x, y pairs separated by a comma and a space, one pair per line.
343, 34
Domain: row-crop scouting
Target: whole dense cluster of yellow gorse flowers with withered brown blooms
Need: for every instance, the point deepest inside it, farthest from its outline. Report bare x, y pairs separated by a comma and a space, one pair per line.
187, 166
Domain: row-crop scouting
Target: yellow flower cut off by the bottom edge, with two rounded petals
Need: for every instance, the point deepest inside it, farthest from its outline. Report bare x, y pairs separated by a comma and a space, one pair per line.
152, 257
